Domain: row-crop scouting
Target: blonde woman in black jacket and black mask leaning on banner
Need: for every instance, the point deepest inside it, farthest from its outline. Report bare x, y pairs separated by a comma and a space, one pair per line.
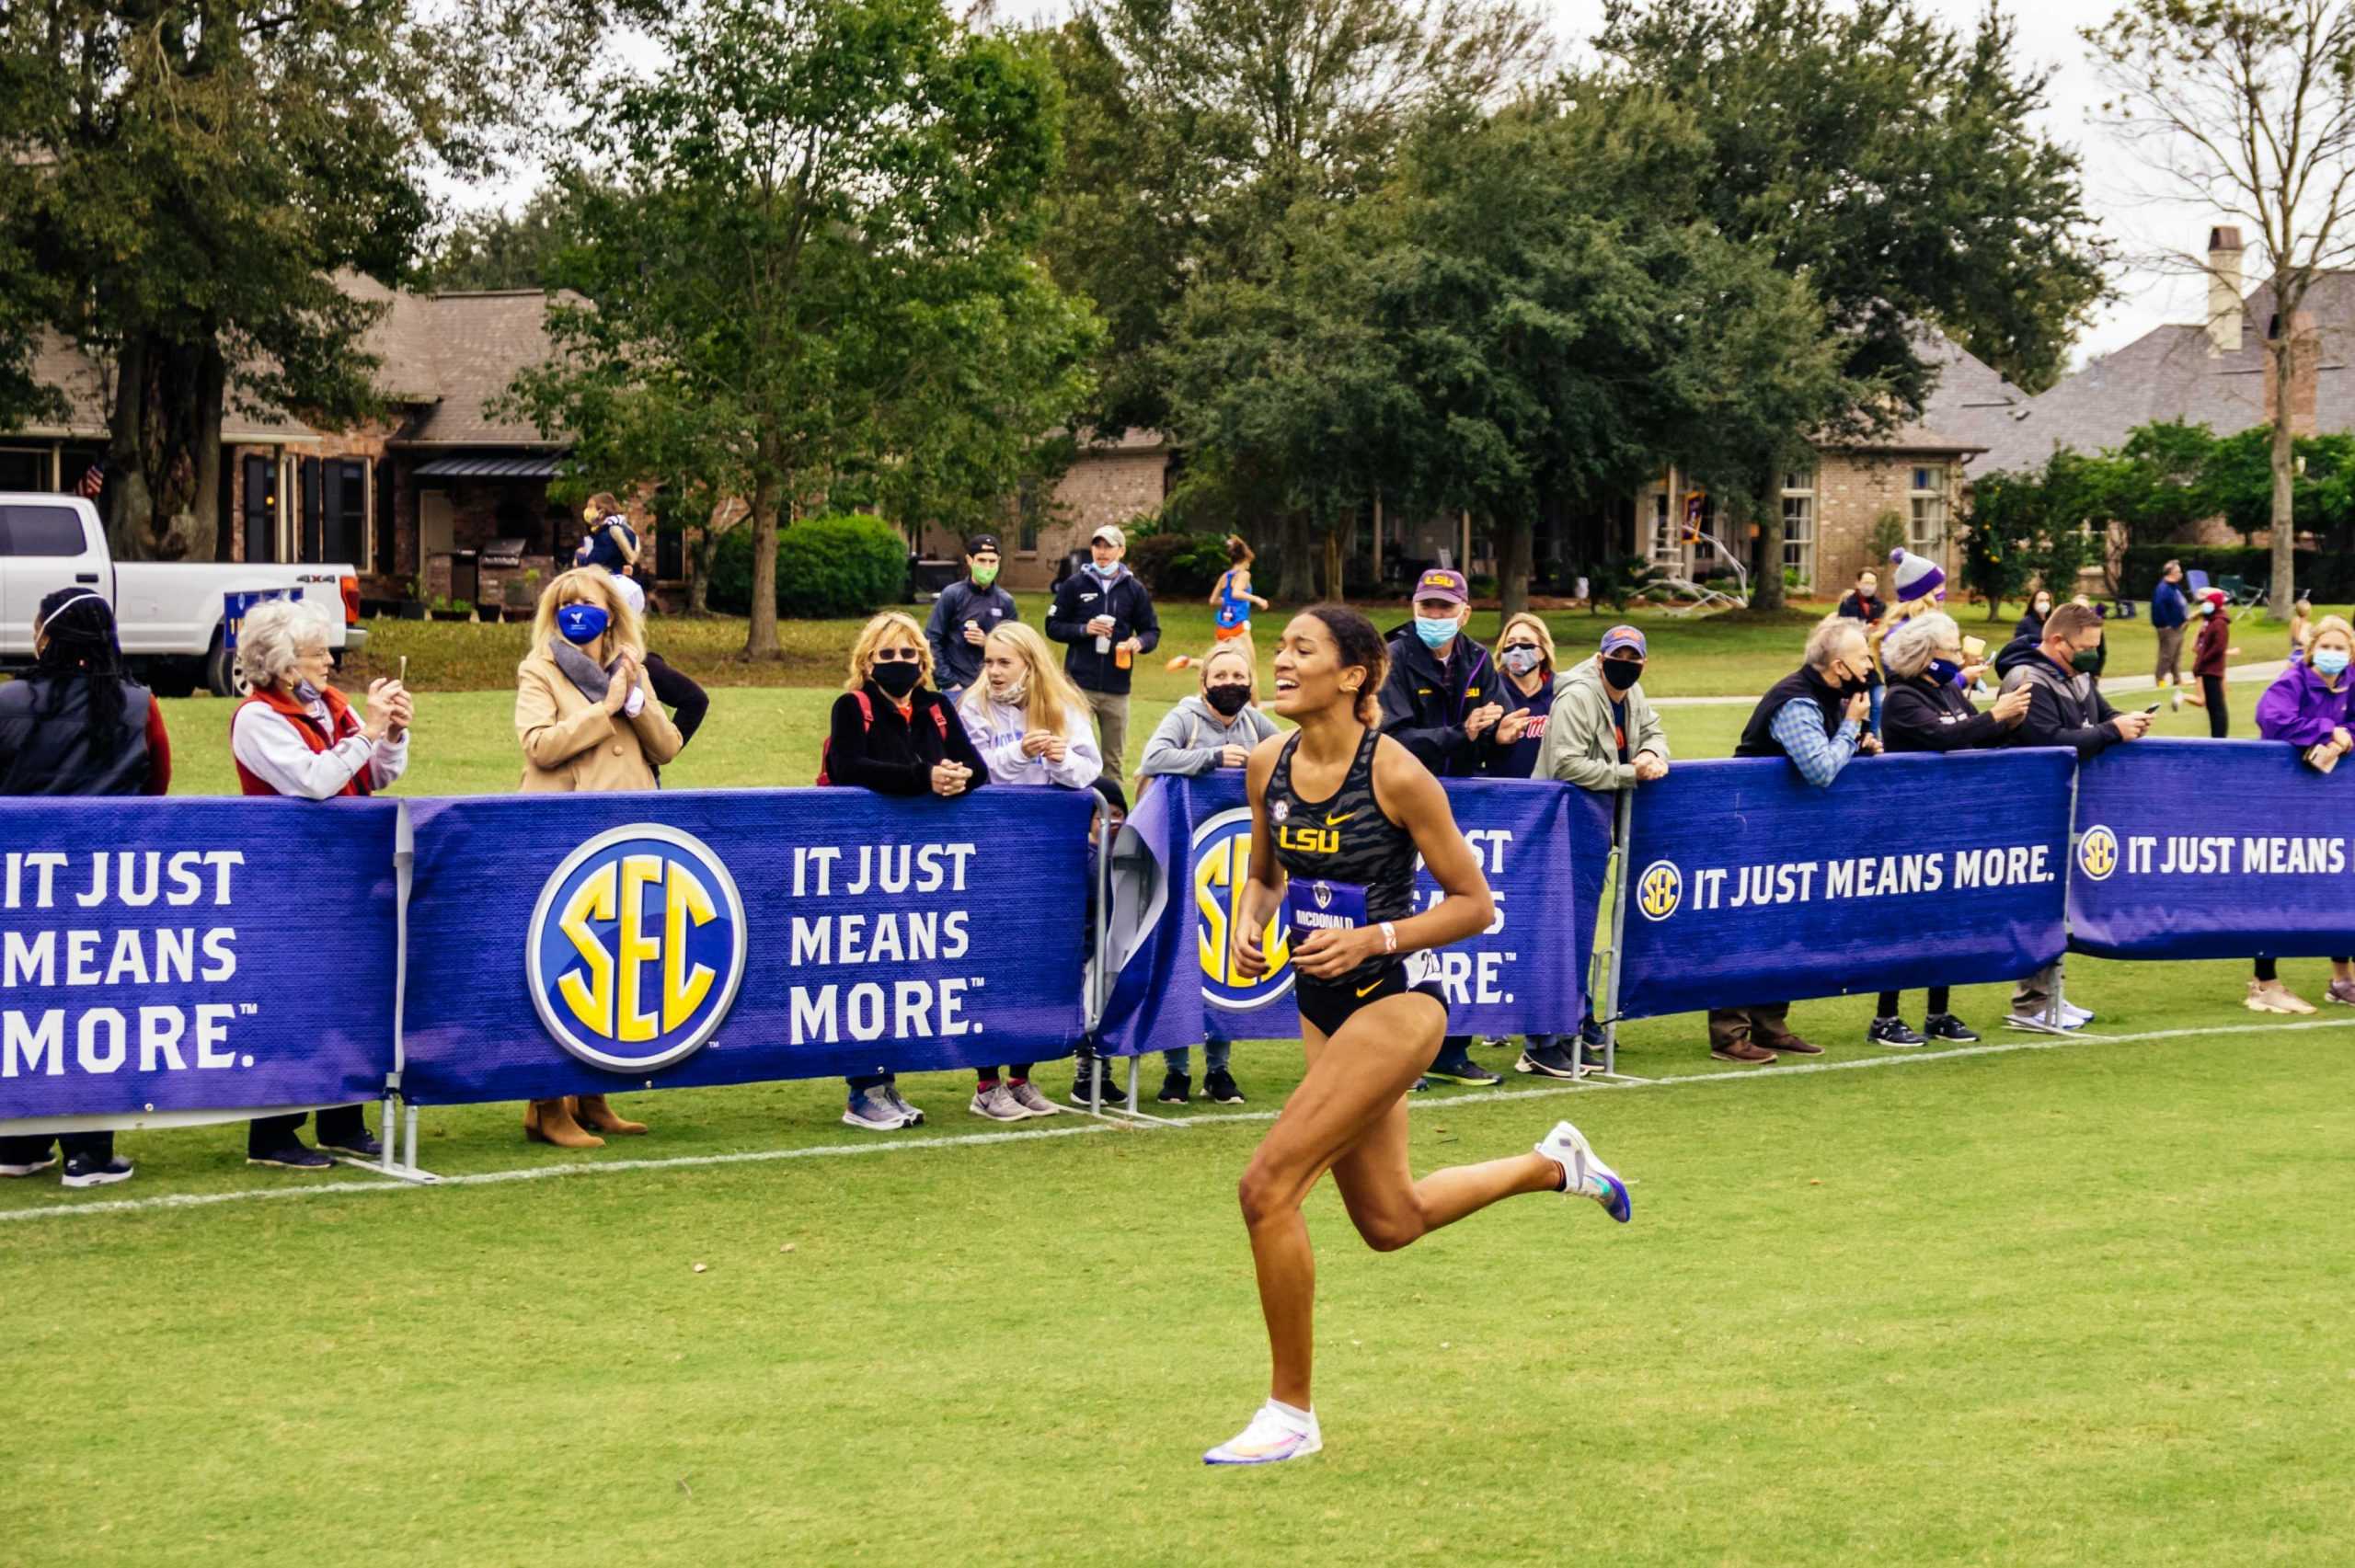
898, 738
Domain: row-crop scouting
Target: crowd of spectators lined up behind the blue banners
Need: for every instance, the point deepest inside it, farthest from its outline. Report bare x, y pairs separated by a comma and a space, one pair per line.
979, 698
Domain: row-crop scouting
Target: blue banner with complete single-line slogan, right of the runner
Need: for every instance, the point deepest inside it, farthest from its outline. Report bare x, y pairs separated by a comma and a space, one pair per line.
1751, 886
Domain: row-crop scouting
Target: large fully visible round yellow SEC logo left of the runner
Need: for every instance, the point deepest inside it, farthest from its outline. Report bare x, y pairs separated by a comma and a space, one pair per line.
637, 948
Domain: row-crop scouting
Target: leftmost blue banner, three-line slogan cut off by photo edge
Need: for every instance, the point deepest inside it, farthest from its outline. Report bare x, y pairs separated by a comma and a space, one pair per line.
194, 955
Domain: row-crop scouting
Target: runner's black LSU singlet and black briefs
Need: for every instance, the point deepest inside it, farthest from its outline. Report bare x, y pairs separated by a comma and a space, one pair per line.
1348, 839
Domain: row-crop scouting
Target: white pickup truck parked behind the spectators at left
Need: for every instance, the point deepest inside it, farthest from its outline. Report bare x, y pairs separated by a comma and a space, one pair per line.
168, 611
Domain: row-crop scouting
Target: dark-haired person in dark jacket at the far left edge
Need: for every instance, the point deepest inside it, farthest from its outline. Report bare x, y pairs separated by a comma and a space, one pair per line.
79, 726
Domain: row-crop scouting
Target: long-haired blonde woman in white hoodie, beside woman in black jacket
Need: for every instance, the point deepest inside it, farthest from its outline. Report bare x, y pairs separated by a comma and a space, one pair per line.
1033, 726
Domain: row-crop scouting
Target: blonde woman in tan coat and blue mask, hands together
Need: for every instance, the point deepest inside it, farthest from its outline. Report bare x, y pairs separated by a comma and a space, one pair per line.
588, 719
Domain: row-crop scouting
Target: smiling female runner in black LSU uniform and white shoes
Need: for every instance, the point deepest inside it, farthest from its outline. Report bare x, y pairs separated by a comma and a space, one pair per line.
1346, 811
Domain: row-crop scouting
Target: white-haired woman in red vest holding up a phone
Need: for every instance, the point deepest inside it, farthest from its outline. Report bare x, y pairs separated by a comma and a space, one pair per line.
298, 736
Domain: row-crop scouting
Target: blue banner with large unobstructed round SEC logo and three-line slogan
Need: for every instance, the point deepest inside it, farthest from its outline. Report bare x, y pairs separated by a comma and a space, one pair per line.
576, 945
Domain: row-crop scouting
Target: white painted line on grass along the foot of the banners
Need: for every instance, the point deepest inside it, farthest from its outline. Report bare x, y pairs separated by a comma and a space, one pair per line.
1089, 1124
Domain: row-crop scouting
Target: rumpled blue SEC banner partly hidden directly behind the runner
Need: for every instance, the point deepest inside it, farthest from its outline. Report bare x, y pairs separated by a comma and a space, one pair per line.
1186, 856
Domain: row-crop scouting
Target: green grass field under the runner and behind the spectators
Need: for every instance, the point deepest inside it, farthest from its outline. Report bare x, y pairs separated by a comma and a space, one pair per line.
2036, 1303
